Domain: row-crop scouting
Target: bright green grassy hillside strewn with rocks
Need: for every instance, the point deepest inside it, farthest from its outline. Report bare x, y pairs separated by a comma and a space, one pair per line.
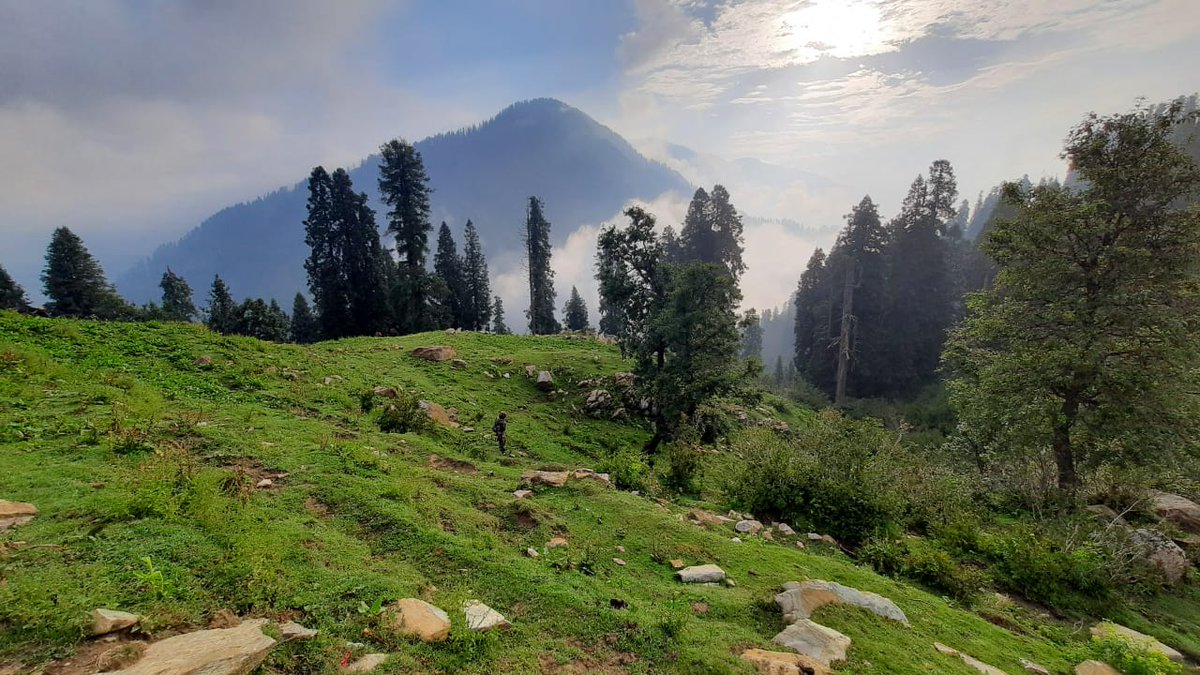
145, 467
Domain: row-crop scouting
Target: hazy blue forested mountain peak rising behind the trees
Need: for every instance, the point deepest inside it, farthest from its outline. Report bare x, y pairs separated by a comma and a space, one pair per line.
583, 170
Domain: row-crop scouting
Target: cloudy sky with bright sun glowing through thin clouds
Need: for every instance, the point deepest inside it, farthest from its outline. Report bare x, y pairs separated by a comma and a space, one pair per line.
131, 121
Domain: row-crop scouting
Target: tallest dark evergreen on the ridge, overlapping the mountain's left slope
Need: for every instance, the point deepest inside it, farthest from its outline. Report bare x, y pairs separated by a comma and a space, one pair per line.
404, 187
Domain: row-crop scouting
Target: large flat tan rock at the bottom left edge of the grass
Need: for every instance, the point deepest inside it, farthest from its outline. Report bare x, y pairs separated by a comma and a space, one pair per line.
218, 652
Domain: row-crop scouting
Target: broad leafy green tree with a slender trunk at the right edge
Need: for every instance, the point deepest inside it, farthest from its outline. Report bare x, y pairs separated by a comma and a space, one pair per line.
1085, 347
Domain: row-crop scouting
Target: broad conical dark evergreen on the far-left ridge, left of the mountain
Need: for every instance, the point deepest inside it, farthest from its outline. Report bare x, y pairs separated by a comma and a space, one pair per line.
75, 283
